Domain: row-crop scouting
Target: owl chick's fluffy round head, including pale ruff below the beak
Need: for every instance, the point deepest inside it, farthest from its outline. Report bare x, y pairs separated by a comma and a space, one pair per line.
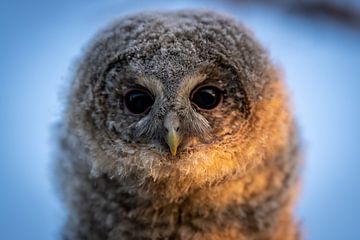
176, 101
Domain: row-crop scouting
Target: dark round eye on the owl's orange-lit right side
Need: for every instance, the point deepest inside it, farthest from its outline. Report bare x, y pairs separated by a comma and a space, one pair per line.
206, 97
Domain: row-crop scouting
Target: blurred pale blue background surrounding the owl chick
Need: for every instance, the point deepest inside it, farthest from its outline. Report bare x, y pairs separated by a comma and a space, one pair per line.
39, 41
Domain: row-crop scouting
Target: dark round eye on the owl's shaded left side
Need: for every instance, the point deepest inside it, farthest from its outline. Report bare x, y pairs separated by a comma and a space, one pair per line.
138, 101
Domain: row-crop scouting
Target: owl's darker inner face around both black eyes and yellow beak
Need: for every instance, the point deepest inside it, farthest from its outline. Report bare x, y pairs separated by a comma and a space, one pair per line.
174, 116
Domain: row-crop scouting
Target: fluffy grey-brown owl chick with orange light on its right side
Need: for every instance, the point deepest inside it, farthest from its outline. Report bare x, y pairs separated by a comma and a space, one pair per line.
177, 126
